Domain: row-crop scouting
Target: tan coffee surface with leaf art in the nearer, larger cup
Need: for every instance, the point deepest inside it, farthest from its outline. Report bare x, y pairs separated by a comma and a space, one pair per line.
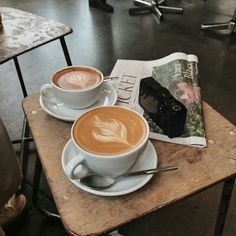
109, 131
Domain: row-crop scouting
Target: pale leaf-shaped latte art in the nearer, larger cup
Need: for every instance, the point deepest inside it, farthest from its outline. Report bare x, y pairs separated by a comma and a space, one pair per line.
110, 131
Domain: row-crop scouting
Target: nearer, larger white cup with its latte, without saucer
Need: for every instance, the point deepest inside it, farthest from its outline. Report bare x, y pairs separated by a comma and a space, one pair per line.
108, 141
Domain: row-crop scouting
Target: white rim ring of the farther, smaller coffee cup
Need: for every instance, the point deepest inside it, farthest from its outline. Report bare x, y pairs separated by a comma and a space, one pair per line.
77, 90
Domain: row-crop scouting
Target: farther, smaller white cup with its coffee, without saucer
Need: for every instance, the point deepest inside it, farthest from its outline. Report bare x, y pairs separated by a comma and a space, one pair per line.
77, 87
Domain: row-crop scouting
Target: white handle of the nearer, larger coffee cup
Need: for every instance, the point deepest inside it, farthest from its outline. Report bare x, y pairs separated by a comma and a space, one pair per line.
76, 168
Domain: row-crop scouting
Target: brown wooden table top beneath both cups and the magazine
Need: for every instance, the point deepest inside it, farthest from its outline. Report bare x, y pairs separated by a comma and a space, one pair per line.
83, 213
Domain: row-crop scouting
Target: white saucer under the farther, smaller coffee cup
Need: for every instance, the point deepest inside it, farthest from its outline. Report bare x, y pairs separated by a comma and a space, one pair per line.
108, 97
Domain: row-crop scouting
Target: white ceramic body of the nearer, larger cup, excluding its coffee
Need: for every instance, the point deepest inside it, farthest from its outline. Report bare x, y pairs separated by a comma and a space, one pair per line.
109, 165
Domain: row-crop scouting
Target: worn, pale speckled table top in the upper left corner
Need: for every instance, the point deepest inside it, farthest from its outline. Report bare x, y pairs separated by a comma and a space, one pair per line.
23, 31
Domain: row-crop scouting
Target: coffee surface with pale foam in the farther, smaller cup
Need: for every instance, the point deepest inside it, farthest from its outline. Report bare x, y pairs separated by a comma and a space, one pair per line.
78, 78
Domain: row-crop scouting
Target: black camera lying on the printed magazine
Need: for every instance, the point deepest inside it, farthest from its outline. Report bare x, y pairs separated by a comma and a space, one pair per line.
167, 112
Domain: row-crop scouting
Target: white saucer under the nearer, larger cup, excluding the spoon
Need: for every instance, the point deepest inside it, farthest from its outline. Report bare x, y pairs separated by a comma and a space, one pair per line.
147, 160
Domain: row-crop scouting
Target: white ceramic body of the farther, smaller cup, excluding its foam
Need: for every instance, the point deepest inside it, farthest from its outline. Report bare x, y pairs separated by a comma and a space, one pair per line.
73, 98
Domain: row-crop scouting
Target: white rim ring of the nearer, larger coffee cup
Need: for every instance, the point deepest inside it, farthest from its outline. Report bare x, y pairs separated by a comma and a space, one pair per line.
122, 155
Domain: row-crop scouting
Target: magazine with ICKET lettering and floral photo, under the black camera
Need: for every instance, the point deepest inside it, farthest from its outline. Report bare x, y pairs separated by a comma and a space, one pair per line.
179, 73
